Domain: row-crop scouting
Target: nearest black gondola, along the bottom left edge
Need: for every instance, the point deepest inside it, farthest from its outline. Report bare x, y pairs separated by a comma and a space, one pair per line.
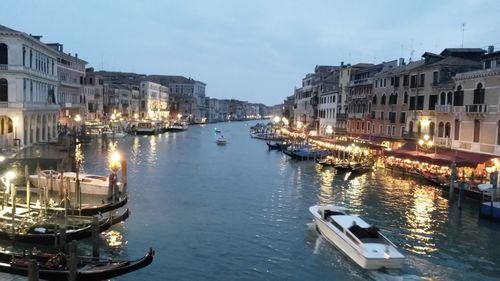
55, 267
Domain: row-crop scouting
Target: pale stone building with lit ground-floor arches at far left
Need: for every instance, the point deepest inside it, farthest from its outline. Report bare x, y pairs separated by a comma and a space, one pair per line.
28, 89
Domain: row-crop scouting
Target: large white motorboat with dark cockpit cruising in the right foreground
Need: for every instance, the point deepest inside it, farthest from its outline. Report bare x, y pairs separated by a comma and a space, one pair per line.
363, 243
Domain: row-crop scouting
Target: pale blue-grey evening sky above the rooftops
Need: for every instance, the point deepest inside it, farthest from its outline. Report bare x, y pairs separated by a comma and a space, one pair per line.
254, 50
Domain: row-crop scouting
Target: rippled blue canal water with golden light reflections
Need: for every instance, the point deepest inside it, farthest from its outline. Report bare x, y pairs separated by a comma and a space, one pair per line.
240, 212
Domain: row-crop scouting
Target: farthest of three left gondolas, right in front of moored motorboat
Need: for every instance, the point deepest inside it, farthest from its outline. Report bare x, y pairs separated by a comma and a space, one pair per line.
87, 209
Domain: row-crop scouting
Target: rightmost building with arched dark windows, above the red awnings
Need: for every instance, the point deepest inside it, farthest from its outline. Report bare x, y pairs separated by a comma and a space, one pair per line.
469, 118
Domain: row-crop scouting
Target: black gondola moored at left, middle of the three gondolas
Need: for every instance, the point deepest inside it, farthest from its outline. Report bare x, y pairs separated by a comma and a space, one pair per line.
46, 233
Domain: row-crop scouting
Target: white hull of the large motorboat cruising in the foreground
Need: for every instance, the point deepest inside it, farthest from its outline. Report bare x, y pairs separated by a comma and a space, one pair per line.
390, 260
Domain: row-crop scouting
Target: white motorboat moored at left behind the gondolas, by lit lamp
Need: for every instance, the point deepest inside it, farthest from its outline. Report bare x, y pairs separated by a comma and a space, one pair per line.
89, 184
